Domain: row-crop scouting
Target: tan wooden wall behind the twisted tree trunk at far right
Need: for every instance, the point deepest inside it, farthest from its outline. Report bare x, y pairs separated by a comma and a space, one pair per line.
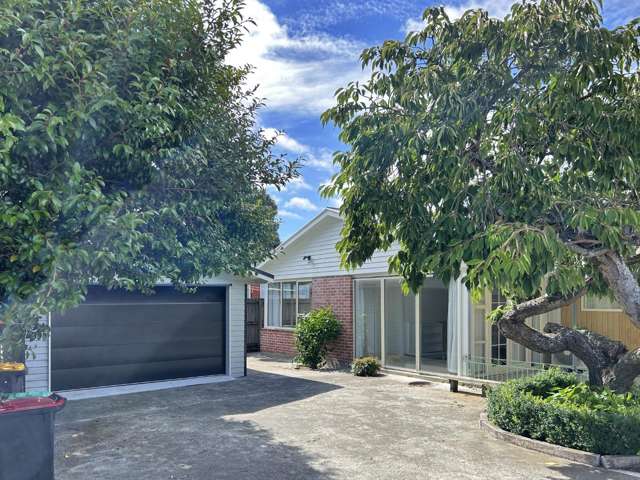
615, 325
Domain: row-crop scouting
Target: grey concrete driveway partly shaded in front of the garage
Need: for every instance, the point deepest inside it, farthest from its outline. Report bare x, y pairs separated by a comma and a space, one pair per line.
280, 423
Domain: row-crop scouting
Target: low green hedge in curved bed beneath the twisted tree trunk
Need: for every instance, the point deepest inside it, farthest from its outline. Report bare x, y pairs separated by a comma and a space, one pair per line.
555, 407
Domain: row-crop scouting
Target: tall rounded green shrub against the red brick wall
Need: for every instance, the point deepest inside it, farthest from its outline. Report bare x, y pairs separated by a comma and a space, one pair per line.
313, 334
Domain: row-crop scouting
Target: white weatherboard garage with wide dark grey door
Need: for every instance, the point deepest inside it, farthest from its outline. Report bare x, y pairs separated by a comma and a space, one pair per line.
134, 341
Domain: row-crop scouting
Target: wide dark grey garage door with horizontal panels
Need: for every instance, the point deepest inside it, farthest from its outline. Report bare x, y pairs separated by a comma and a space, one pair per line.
119, 337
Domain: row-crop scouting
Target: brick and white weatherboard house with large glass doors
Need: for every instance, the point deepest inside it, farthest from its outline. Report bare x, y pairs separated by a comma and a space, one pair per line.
439, 330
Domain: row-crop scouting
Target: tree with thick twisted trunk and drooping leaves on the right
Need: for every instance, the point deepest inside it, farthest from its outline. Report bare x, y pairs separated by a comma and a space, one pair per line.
509, 145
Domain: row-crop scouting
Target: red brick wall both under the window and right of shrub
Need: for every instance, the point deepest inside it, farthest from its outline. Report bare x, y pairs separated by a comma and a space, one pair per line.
334, 291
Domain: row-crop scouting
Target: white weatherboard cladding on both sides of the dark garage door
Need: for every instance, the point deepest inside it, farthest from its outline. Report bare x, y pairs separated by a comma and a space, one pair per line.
38, 367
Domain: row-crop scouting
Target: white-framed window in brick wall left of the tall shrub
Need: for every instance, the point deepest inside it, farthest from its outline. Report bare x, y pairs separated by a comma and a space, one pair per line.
286, 301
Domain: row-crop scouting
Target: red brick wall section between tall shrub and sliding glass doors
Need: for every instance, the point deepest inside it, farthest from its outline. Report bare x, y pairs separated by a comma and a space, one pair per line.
337, 292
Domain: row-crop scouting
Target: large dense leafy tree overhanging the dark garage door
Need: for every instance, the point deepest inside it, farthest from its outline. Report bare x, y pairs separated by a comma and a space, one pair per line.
128, 153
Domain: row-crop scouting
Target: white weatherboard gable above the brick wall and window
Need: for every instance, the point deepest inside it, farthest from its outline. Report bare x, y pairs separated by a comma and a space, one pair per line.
319, 242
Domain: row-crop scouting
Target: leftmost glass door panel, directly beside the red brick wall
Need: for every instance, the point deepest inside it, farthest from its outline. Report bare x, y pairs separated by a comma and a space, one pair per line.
368, 318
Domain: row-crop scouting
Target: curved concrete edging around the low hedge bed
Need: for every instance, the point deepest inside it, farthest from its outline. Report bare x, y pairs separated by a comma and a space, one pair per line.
593, 459
